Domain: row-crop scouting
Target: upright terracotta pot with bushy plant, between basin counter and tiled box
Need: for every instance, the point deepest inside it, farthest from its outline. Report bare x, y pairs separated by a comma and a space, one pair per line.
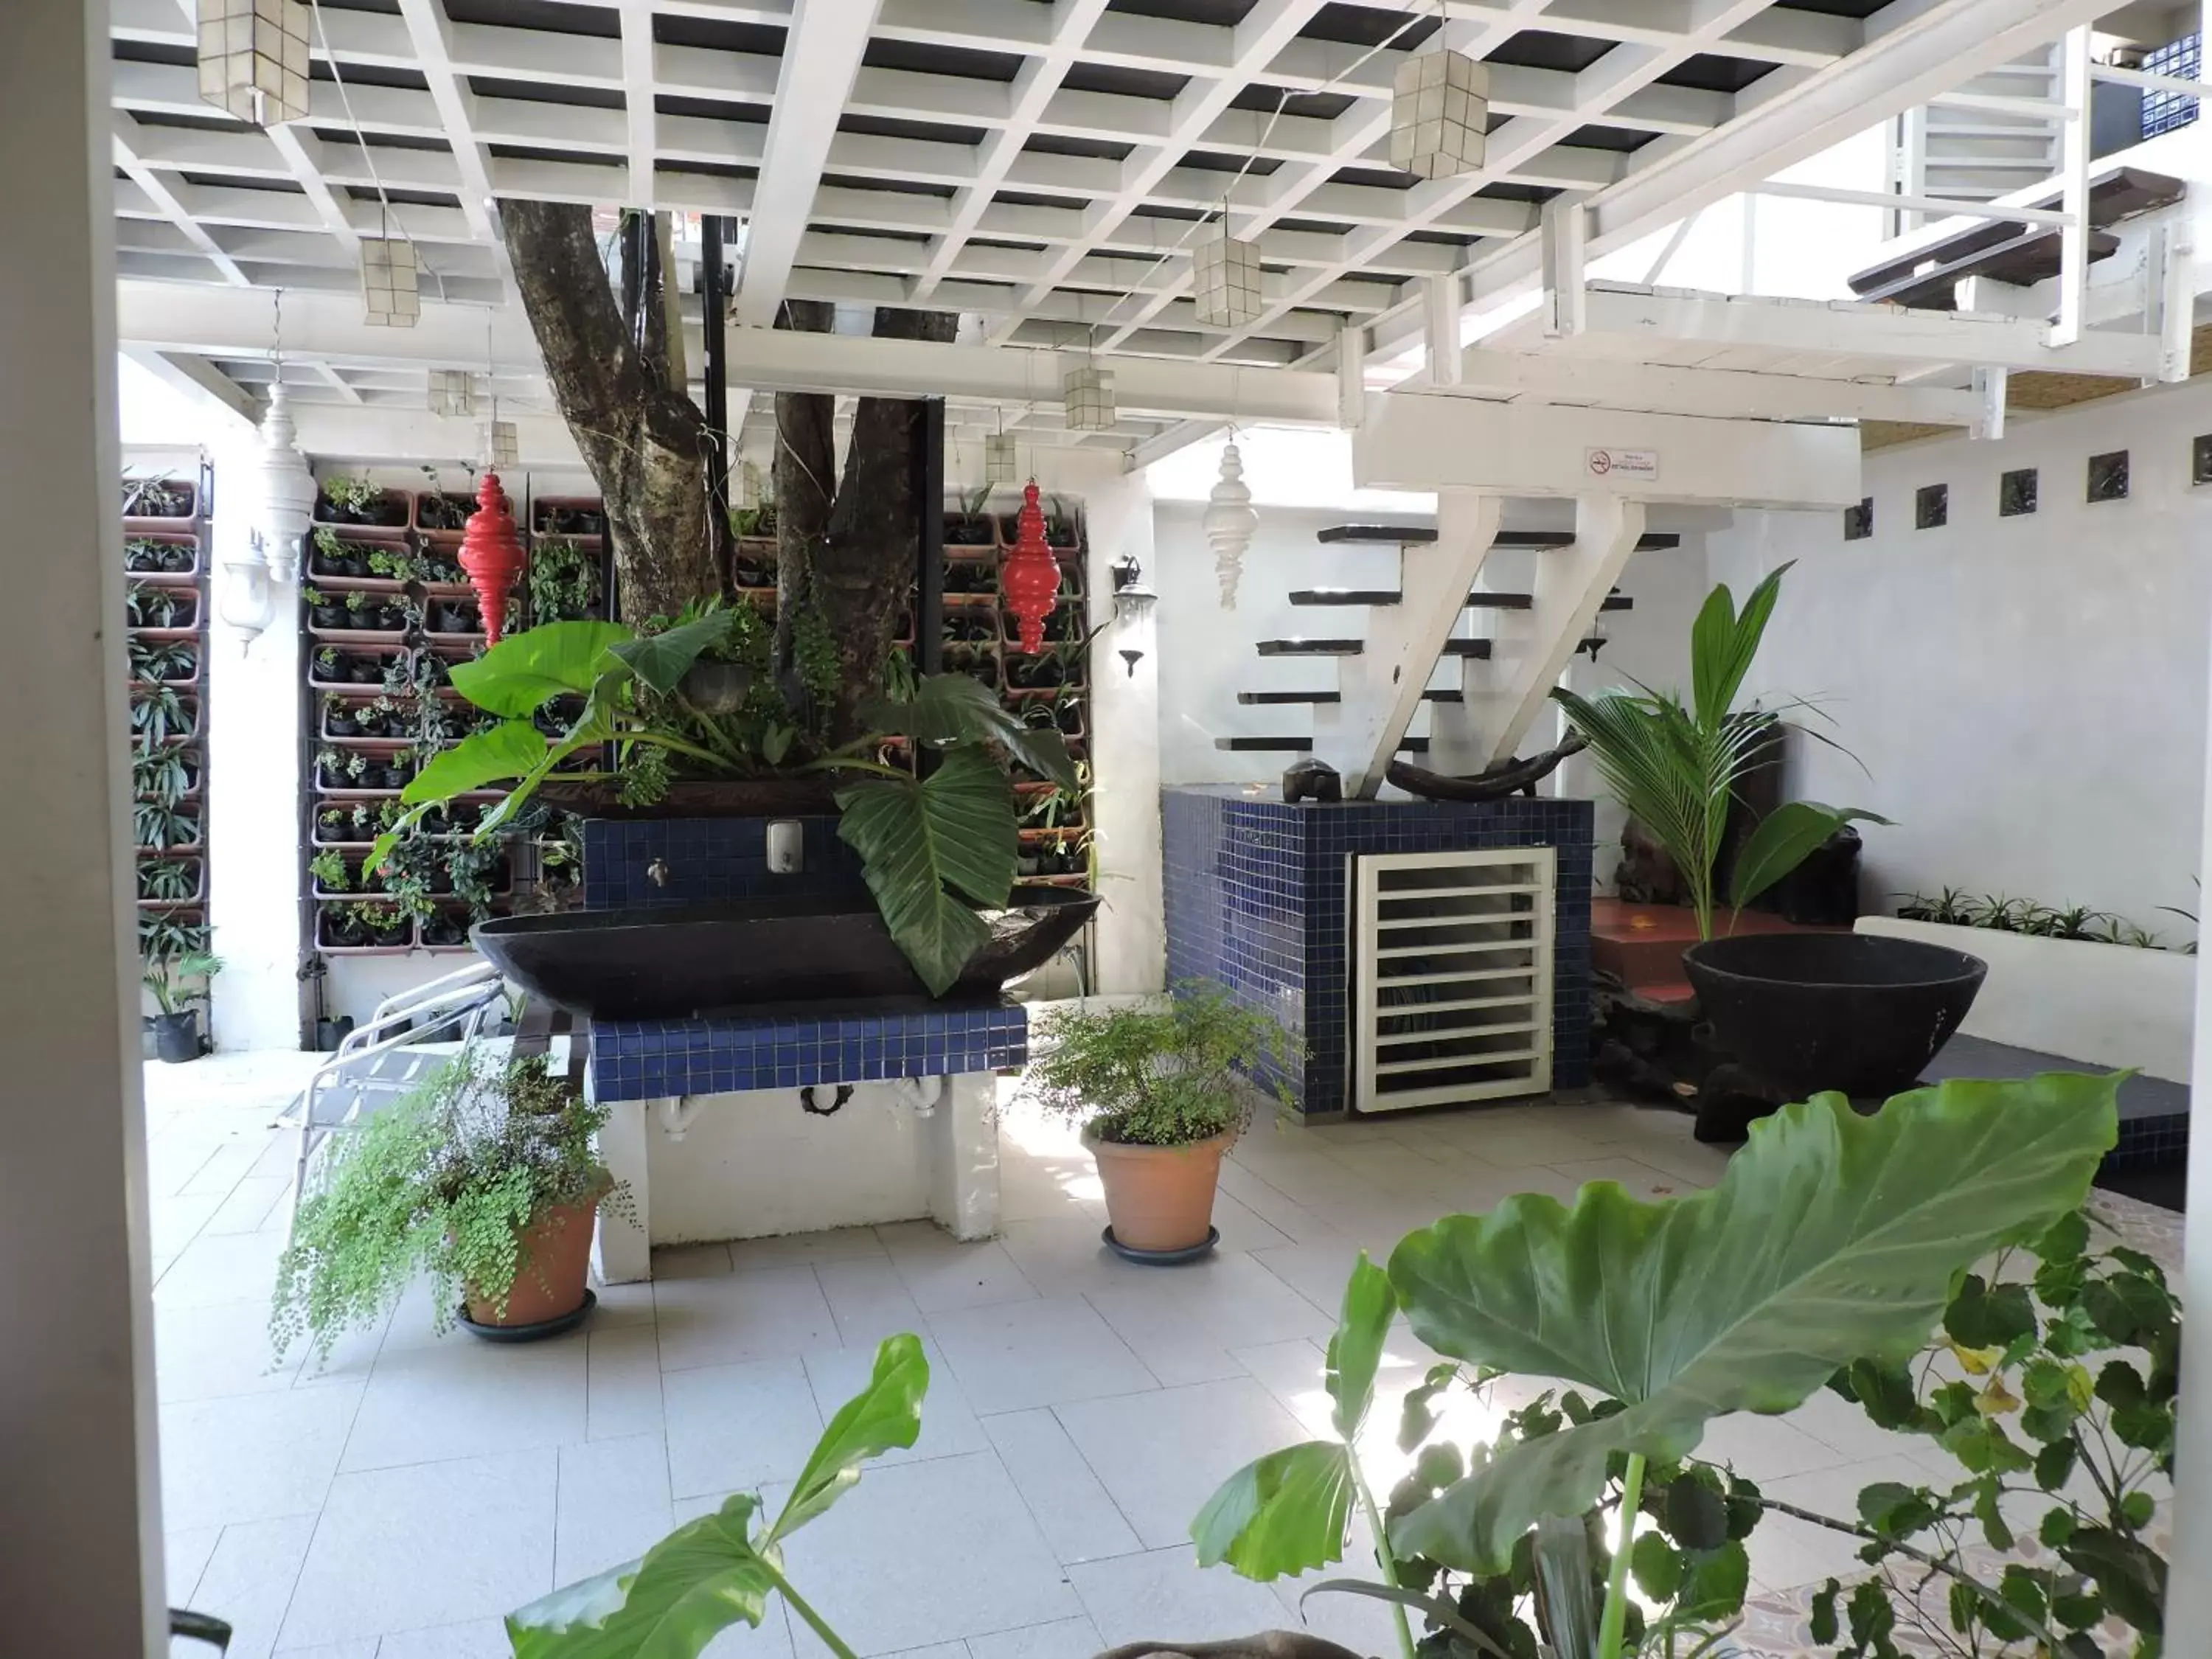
1160, 1100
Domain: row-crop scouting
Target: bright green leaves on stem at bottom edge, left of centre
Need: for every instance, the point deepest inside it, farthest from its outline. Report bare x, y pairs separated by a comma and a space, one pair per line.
722, 1569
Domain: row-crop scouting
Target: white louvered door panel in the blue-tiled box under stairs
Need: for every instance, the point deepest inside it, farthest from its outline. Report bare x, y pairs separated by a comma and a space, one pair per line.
1450, 977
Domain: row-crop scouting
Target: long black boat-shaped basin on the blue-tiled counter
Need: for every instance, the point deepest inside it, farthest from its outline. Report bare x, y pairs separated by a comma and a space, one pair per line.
720, 957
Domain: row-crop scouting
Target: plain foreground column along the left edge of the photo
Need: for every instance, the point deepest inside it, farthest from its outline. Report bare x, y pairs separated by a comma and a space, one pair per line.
81, 1501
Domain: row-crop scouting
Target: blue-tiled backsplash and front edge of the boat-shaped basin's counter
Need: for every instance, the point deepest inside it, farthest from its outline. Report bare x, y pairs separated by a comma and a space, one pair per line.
786, 1050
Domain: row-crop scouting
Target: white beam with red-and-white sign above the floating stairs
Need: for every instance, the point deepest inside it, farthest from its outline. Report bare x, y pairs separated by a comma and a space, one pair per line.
1545, 450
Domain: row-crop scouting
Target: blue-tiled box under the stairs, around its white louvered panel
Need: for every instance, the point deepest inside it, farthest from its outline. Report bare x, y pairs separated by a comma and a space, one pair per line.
1255, 899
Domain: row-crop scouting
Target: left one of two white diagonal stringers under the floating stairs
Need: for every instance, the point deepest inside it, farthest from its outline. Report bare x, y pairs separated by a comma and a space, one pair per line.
1381, 687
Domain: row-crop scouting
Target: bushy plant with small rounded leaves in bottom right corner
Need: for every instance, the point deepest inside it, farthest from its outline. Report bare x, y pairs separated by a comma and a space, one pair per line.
2065, 1419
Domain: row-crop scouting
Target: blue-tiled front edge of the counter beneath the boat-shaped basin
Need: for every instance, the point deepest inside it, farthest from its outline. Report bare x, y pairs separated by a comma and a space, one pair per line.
654, 1058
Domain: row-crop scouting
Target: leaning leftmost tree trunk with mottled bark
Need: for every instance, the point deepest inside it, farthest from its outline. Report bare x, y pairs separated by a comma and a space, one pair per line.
645, 441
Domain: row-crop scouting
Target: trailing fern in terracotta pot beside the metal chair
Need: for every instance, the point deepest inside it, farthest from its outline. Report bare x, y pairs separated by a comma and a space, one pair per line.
483, 1178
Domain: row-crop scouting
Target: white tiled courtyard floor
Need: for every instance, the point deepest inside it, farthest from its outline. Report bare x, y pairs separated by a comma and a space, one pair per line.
395, 1503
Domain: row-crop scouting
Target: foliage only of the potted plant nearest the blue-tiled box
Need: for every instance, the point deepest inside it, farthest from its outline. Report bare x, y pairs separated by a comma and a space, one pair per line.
1158, 1076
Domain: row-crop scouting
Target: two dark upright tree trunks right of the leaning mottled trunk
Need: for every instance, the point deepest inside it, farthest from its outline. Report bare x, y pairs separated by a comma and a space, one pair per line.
851, 552
